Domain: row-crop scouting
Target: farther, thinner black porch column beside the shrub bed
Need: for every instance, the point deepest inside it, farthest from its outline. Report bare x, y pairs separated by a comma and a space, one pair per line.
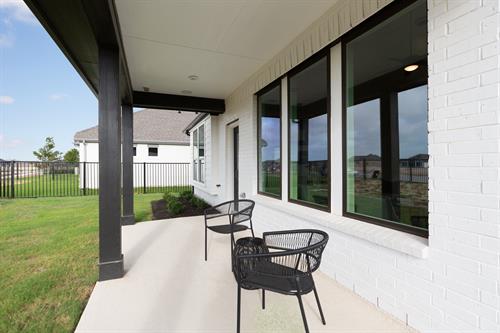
128, 164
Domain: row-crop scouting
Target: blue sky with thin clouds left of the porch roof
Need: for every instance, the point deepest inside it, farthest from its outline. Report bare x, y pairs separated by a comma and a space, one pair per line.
40, 93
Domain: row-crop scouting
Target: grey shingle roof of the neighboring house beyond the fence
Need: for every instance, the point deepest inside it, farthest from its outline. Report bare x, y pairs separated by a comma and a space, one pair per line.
151, 126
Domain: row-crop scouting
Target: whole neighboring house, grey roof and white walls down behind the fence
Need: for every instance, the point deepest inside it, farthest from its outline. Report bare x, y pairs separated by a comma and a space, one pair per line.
159, 145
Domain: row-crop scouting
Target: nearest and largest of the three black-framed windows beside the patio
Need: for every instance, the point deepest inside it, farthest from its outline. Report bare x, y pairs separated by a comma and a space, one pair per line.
386, 152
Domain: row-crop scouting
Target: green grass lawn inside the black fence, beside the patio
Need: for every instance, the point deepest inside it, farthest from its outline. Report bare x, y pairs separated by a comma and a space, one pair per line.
48, 260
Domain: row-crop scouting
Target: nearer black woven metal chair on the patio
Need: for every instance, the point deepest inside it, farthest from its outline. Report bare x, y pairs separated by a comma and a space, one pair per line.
284, 266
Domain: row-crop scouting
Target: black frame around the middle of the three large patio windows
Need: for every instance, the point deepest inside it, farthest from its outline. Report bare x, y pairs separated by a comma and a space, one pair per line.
297, 69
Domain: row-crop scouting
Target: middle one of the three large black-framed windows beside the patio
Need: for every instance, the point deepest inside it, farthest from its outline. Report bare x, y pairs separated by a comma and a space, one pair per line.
308, 114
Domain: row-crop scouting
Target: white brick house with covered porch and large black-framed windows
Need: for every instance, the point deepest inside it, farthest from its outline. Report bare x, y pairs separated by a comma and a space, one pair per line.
305, 86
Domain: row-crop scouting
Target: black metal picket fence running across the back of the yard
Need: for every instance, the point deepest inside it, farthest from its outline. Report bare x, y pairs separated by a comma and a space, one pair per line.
27, 179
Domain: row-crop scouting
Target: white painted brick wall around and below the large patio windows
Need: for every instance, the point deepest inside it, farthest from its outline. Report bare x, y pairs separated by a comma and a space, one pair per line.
457, 287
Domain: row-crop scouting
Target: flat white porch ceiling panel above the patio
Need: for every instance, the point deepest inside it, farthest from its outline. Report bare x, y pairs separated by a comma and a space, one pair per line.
223, 42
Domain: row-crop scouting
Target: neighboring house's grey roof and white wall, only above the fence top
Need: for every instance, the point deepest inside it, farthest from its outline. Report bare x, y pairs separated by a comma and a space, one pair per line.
158, 138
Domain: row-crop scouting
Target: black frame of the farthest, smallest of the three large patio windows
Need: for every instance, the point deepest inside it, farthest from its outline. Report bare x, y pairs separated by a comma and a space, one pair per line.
269, 87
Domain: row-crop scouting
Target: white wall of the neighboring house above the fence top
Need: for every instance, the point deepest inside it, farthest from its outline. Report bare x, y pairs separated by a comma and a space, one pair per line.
89, 152
